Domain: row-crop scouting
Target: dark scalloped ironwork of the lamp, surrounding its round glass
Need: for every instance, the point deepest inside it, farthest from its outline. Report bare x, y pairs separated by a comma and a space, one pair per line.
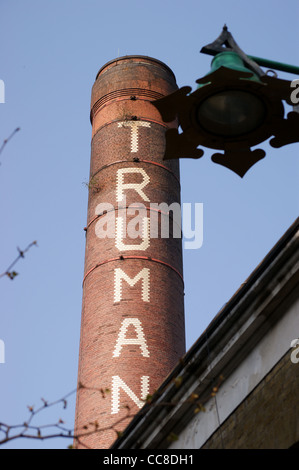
268, 92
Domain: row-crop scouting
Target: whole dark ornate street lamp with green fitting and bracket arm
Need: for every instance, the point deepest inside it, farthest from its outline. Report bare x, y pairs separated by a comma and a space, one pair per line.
235, 107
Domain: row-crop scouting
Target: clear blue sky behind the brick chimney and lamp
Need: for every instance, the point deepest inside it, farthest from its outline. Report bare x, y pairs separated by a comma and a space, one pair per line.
50, 54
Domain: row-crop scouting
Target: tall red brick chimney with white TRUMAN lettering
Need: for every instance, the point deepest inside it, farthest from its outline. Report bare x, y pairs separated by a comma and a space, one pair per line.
132, 327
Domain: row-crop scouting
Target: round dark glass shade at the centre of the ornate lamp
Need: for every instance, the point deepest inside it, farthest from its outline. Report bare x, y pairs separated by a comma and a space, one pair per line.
231, 113
